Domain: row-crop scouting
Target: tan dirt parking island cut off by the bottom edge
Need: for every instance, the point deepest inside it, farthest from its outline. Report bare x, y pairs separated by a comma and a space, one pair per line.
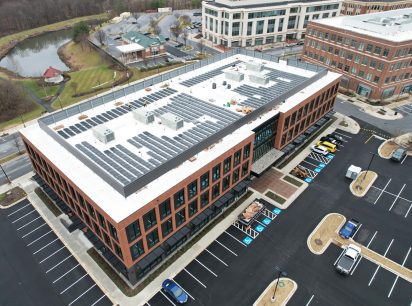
284, 292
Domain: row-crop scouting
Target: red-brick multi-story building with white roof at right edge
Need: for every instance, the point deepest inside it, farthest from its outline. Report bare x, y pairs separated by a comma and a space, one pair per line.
373, 51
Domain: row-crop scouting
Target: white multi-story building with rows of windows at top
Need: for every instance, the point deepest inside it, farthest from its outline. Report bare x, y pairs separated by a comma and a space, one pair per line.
257, 22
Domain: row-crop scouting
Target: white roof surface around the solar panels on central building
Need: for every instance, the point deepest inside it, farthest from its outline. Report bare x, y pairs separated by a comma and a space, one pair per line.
126, 127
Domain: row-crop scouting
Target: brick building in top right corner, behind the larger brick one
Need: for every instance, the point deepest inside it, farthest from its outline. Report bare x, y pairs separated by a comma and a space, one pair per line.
358, 7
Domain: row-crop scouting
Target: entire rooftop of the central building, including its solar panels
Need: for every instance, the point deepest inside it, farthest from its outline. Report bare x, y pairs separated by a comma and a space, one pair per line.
168, 130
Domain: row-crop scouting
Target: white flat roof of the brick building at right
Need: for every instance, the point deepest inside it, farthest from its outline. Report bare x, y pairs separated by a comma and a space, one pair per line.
393, 25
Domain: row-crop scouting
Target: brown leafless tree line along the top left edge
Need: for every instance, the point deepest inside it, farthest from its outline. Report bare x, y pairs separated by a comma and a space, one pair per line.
19, 15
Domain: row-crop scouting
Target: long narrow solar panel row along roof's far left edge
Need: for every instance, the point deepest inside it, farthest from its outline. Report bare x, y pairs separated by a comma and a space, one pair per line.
87, 124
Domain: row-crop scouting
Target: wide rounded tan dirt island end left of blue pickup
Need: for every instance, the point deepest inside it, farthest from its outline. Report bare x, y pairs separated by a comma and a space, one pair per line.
321, 237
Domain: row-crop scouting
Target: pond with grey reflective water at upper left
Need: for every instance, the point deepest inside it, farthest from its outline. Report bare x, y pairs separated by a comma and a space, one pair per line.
33, 56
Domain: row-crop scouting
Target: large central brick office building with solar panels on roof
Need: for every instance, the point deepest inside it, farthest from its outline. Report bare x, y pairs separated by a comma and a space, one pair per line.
147, 166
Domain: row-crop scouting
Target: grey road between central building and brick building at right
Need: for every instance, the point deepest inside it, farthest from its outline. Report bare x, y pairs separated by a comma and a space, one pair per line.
393, 127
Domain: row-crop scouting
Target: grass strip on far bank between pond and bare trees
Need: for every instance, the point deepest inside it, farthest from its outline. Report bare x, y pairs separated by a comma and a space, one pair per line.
4, 41
